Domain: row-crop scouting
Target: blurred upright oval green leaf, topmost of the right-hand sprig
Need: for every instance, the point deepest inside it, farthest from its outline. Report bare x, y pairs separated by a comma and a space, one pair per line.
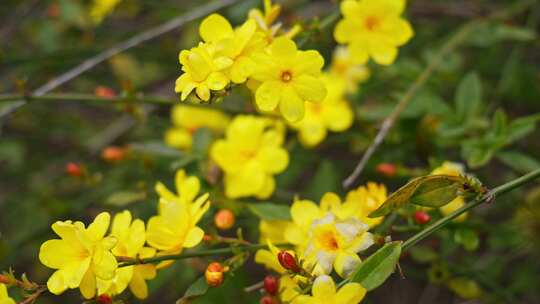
468, 97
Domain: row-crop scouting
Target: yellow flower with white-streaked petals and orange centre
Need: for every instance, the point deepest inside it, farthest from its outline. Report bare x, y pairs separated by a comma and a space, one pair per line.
324, 239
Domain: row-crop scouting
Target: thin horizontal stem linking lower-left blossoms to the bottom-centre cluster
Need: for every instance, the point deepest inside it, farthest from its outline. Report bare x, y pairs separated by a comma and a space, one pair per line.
202, 253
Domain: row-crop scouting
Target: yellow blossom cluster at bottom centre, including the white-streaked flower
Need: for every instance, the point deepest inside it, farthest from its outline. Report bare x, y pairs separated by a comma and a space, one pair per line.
326, 237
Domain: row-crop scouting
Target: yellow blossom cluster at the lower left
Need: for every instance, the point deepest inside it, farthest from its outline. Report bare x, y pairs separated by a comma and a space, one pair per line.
86, 257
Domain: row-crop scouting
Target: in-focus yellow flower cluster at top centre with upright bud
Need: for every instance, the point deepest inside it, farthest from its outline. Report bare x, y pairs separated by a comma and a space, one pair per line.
281, 76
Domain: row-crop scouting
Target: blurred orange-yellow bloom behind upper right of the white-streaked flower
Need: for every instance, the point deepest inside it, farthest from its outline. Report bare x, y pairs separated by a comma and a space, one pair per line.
364, 200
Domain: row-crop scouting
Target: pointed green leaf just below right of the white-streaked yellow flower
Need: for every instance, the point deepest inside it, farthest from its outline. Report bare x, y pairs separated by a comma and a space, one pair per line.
373, 271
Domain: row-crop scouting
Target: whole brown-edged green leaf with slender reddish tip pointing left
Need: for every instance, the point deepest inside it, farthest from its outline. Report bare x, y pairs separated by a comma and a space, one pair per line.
434, 192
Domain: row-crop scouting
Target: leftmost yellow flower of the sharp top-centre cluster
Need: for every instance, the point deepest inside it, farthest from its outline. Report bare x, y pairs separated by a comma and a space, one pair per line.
203, 71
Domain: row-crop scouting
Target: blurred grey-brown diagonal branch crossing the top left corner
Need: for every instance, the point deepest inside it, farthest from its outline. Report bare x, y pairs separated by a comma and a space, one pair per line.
121, 47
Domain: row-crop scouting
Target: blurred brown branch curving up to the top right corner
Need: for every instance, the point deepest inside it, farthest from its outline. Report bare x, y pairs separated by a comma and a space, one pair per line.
446, 49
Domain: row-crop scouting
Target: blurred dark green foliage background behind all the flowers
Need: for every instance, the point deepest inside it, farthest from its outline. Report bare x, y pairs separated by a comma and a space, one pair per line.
480, 107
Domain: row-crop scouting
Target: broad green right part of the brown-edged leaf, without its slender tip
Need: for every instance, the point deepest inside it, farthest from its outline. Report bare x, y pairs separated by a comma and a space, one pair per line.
437, 192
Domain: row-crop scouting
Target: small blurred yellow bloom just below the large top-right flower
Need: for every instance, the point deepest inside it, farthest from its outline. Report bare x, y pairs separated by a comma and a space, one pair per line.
344, 68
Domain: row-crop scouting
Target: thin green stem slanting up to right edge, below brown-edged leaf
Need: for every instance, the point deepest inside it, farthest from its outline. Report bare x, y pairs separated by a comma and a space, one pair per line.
488, 197
